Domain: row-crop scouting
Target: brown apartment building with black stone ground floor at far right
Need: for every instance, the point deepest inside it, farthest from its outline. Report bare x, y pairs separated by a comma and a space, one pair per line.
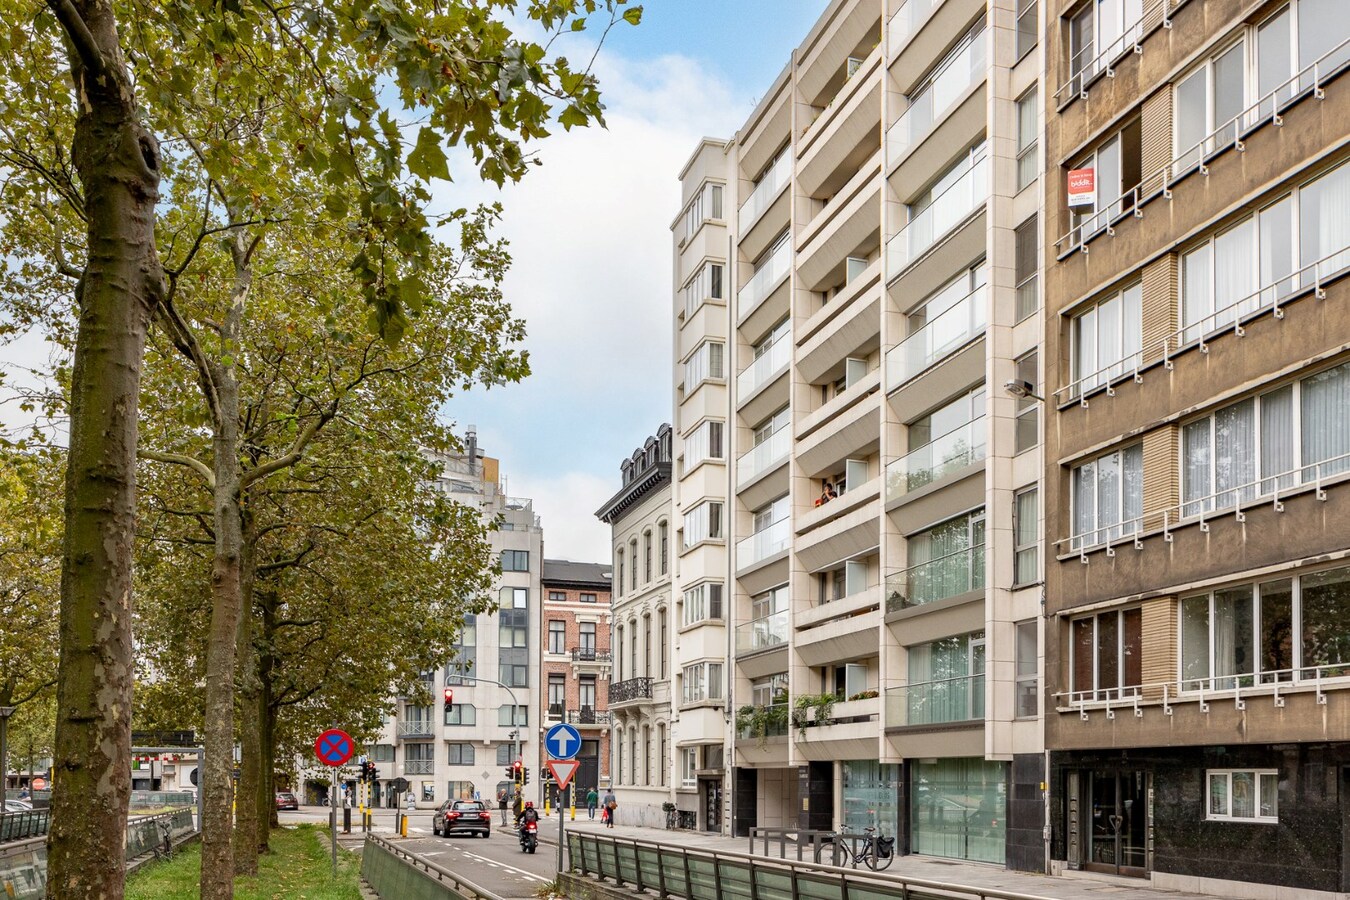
1198, 349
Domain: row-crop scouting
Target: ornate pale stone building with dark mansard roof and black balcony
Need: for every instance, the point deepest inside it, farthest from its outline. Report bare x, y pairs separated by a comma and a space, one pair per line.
641, 516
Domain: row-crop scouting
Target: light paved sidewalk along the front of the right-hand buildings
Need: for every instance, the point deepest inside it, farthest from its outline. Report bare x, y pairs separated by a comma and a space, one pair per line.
1070, 887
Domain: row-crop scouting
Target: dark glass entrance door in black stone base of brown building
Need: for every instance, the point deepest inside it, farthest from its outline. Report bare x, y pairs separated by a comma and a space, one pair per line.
1120, 818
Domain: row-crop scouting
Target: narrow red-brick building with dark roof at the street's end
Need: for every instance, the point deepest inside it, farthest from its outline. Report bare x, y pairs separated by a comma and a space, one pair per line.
576, 662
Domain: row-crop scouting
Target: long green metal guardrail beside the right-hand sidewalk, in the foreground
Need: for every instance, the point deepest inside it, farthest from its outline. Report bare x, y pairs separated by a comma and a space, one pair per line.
709, 875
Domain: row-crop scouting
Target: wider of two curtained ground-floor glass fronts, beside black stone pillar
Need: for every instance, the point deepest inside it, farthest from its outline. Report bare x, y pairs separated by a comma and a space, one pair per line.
959, 809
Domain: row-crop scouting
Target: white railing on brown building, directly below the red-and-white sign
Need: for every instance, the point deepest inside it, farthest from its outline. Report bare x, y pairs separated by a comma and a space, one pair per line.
1312, 80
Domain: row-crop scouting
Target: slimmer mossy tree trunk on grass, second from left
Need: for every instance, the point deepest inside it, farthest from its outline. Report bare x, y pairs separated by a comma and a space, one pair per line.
218, 866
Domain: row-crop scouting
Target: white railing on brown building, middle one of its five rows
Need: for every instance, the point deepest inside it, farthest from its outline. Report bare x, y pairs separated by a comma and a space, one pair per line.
1270, 298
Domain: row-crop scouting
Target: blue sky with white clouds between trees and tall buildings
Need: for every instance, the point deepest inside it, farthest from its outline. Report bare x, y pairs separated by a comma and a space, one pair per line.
592, 246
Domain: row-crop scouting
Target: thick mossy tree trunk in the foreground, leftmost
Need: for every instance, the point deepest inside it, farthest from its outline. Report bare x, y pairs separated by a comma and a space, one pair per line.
118, 163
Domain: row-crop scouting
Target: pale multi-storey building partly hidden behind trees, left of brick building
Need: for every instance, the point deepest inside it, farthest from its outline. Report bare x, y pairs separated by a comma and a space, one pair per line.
461, 751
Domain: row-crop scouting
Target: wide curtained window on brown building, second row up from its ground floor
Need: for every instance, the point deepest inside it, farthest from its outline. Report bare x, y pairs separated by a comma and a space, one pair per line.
1293, 435
